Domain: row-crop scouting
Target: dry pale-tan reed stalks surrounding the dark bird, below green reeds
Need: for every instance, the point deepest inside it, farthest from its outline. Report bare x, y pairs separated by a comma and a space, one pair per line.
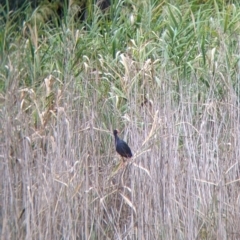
59, 179
